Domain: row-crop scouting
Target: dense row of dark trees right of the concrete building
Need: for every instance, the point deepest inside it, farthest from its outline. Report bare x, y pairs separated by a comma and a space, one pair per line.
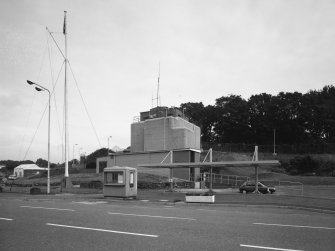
296, 118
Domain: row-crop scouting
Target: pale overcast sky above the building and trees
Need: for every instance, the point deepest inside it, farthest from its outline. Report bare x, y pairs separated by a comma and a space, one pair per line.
204, 50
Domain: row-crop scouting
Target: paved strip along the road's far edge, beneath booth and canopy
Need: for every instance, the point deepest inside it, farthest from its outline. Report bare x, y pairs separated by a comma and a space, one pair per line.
226, 197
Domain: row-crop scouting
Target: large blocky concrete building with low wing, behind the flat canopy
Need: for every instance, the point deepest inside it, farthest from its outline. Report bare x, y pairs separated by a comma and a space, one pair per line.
159, 134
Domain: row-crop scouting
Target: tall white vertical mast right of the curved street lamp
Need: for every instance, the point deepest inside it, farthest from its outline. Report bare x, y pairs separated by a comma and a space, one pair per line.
66, 104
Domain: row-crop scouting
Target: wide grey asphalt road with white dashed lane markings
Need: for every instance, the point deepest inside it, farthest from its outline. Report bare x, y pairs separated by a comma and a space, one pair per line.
58, 224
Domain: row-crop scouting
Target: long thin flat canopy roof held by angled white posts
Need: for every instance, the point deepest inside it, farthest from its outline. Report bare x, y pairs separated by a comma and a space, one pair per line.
215, 164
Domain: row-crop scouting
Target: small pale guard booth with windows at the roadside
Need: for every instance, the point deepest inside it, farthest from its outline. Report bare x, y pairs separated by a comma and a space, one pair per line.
120, 182
